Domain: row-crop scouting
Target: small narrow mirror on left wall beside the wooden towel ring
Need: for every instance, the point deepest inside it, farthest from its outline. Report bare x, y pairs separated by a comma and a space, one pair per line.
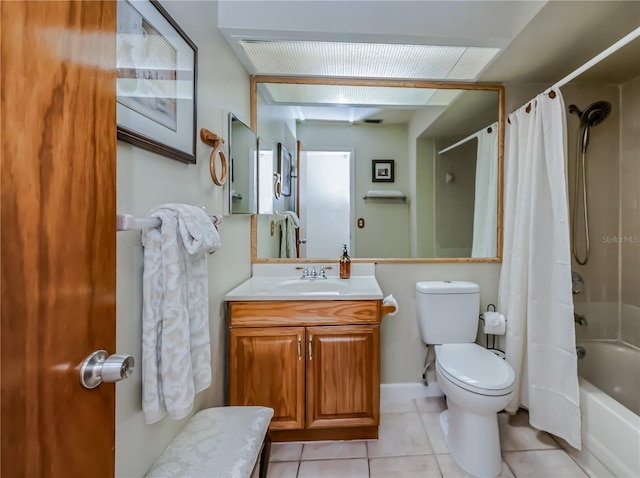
243, 148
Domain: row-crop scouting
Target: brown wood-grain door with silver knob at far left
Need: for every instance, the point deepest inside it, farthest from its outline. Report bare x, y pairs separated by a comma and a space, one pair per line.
58, 128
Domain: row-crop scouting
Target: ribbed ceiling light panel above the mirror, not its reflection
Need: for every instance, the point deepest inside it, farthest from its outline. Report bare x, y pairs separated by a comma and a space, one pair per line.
366, 60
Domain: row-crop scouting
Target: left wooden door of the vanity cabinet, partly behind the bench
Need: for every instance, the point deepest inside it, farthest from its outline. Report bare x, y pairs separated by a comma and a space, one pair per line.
266, 367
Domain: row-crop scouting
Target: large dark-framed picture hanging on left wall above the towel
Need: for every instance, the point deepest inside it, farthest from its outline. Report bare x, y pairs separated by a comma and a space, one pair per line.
156, 81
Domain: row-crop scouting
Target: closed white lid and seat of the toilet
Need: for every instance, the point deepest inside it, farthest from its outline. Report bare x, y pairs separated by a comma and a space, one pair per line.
475, 369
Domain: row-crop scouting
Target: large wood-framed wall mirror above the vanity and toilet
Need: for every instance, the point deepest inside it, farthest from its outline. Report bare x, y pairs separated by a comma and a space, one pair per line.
414, 155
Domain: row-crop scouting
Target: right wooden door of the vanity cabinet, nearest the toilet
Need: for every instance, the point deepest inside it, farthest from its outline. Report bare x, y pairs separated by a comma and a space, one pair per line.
343, 376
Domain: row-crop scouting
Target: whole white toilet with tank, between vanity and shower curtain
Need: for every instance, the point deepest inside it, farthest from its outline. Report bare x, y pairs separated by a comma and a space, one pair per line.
476, 382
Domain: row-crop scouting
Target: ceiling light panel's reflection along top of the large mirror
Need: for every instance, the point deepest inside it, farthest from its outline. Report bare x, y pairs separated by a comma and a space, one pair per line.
347, 95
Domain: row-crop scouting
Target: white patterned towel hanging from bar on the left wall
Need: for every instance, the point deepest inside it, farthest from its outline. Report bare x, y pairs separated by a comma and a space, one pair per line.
176, 353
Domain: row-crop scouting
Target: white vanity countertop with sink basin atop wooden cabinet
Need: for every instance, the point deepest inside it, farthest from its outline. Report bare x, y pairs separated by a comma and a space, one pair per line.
294, 288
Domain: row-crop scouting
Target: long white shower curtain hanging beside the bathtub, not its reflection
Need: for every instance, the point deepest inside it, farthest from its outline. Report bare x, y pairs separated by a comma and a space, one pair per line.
535, 279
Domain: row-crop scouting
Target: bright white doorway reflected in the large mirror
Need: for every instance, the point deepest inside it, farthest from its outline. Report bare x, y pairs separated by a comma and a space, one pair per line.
325, 203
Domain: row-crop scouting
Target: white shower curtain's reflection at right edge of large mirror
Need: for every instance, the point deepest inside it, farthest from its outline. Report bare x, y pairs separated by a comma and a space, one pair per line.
485, 211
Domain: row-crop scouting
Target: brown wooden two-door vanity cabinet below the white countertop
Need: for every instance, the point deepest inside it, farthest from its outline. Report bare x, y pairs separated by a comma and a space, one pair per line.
316, 363
